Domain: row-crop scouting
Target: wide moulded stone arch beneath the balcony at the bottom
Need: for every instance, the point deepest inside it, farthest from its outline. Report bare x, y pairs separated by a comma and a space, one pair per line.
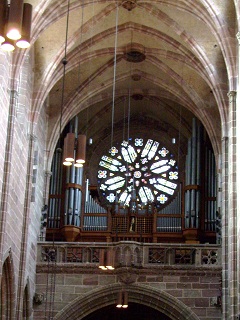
137, 293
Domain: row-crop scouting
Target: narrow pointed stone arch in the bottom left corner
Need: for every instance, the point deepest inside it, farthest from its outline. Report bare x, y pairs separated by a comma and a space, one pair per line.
7, 295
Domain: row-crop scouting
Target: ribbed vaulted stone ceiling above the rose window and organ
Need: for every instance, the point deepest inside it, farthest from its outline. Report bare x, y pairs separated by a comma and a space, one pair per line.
161, 62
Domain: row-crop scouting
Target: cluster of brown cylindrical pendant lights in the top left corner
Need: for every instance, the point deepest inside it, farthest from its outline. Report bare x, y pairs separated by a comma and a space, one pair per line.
15, 24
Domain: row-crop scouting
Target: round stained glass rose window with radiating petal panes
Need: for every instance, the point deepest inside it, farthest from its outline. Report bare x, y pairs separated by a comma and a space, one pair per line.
139, 170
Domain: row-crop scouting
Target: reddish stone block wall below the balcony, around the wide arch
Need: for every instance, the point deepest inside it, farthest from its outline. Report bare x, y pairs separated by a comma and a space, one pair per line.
194, 288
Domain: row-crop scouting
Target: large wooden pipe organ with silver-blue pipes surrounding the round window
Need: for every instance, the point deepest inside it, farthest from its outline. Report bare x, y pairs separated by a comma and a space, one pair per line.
75, 213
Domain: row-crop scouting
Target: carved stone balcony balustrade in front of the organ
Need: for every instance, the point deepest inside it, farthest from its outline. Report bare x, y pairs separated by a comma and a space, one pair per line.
131, 254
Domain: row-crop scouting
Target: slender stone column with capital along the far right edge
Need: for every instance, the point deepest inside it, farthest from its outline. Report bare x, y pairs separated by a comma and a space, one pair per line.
232, 211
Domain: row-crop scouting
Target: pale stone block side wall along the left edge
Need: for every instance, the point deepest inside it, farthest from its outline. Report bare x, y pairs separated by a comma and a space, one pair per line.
21, 203
